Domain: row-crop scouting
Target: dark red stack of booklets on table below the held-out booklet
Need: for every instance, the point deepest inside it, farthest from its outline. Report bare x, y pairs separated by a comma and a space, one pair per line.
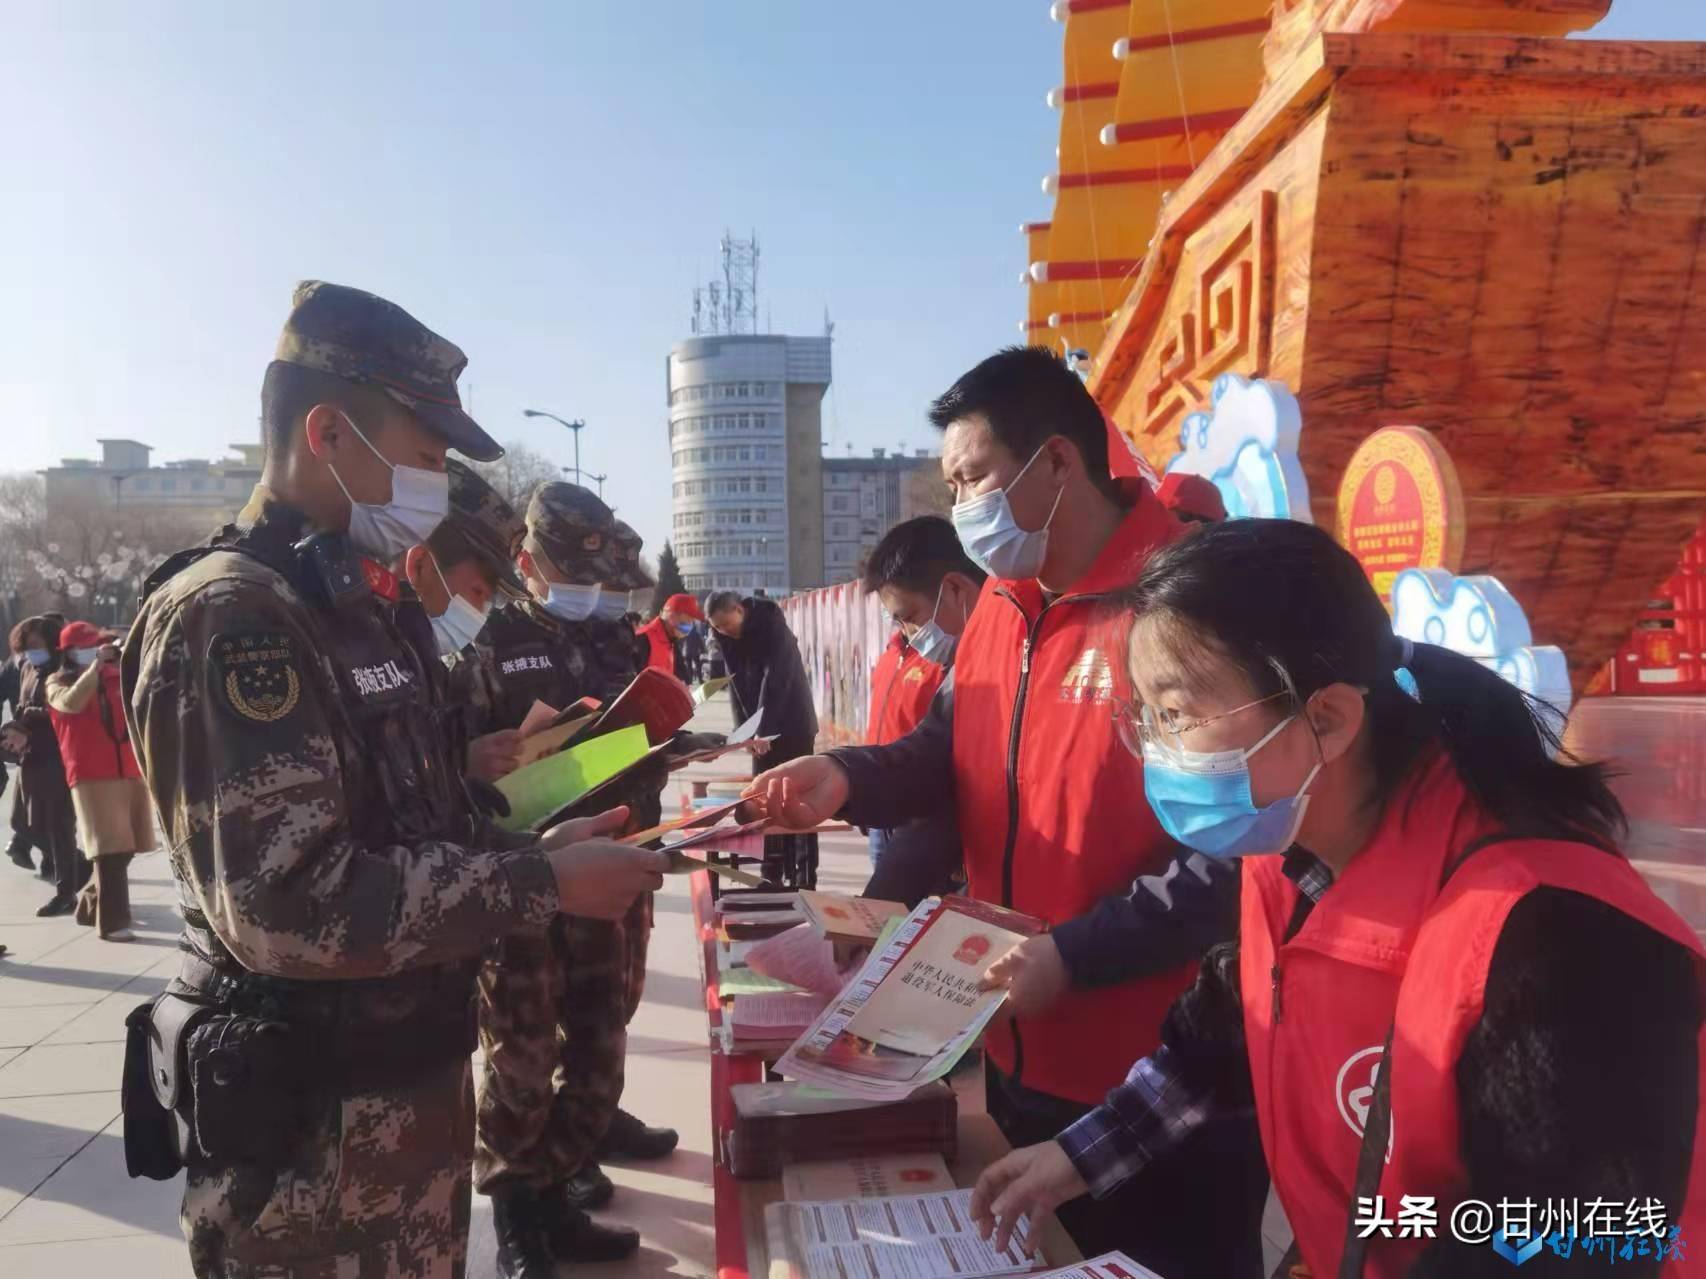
786, 1123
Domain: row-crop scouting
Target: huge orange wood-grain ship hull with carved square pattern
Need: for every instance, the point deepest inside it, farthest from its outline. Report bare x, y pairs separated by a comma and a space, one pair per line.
1437, 216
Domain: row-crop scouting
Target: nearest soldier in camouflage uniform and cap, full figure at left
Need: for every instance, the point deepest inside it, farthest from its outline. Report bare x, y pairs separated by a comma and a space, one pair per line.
316, 1043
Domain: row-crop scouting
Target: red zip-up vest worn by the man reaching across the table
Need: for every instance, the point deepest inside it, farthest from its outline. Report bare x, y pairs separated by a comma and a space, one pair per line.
1052, 806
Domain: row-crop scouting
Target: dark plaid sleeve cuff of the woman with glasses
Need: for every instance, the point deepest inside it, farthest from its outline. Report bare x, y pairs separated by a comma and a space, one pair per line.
1146, 1118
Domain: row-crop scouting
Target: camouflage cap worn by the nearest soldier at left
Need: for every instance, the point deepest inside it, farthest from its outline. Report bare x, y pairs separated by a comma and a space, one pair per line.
364, 339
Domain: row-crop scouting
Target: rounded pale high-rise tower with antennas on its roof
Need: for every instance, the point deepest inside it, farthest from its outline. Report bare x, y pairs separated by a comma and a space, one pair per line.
746, 443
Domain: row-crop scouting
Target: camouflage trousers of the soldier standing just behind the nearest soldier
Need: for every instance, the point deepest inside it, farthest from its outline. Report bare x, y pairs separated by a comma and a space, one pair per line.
554, 1029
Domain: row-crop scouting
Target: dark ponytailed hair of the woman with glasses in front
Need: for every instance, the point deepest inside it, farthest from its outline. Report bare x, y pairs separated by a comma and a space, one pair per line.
1289, 605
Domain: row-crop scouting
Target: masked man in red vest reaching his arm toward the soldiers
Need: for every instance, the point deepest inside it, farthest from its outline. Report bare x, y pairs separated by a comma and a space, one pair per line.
1052, 813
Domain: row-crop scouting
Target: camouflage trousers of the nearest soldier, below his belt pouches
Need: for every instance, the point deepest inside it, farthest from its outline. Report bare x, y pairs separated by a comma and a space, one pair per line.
380, 1189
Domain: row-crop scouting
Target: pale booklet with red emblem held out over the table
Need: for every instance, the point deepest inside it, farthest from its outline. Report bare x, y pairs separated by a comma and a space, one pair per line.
915, 1007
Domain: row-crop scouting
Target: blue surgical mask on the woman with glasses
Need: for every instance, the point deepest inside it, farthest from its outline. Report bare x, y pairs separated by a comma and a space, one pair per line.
1204, 801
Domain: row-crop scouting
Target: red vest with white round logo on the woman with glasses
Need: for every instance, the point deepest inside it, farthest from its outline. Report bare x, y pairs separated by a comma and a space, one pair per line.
1383, 949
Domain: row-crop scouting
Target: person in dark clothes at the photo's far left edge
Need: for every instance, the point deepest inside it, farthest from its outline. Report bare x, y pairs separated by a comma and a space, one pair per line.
42, 811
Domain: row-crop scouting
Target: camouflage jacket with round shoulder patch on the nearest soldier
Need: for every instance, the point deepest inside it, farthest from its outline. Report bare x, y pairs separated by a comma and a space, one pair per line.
286, 734
